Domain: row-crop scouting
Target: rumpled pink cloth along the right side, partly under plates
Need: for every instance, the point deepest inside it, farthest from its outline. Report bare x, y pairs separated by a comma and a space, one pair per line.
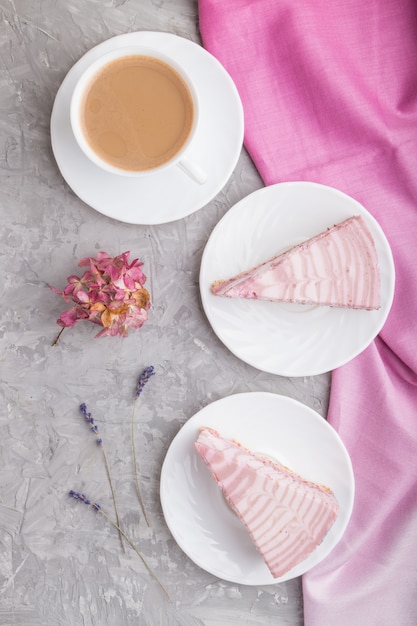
329, 90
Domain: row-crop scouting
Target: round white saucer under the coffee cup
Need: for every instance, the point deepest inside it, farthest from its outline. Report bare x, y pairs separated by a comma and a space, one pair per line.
169, 195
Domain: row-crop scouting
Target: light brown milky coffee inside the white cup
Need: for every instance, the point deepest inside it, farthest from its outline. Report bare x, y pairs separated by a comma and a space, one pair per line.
137, 113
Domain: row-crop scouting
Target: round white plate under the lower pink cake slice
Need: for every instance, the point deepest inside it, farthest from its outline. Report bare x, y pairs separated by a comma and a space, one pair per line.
195, 511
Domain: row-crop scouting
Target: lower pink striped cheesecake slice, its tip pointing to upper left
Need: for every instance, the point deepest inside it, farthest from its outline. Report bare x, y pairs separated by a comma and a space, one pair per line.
286, 516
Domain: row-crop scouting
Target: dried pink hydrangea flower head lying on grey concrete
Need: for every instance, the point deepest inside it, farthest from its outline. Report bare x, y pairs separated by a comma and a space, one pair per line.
110, 293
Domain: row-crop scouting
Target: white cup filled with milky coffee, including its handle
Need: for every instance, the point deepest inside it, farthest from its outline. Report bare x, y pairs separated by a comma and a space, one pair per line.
135, 112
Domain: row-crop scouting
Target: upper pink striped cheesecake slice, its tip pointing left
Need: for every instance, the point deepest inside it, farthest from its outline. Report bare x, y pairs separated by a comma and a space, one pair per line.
338, 267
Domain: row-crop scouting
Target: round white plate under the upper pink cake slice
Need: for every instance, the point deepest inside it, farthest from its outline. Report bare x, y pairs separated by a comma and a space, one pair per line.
280, 338
